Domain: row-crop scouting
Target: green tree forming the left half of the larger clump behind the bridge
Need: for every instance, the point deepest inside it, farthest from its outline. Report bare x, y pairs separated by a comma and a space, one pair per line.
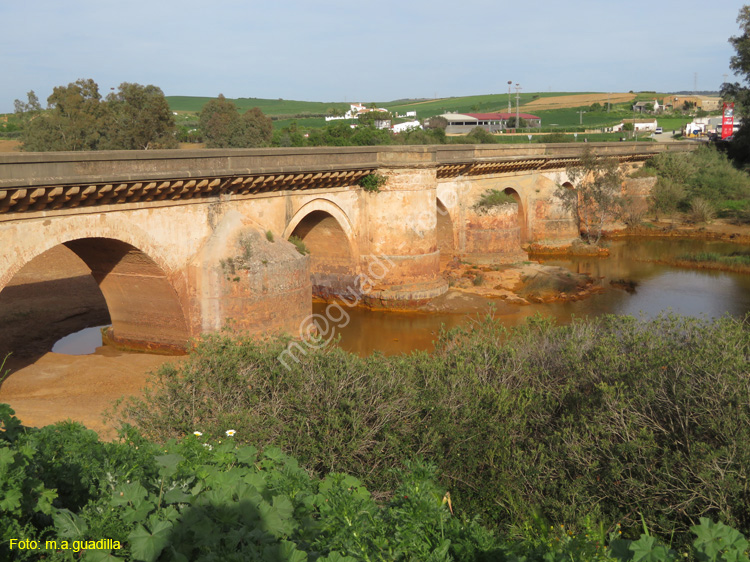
74, 120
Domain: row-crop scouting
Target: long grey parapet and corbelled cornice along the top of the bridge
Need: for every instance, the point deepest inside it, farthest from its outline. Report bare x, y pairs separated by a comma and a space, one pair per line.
65, 180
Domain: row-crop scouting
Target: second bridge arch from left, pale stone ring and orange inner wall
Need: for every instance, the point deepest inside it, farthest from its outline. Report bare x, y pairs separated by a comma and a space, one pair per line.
327, 234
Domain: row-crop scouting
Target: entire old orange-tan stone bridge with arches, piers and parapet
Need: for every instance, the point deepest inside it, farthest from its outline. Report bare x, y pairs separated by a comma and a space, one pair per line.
187, 242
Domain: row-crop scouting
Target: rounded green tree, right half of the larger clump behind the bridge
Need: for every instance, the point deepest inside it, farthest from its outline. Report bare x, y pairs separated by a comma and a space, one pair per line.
139, 118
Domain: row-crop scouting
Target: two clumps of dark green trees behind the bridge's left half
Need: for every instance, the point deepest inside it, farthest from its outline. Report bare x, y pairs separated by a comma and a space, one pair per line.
134, 117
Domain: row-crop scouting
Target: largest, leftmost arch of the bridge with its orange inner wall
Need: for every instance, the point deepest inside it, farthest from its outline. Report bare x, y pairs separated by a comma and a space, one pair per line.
144, 306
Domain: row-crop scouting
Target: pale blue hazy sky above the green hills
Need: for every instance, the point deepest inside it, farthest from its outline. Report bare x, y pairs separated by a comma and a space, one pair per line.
331, 50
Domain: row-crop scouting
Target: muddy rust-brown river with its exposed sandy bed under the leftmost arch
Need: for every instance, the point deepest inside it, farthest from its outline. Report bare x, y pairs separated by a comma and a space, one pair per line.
55, 296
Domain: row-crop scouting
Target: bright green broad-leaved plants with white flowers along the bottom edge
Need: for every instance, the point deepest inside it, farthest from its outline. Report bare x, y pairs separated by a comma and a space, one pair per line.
65, 495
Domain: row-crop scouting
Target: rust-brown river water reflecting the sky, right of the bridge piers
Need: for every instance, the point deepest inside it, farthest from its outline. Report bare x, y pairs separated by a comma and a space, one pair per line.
658, 288
